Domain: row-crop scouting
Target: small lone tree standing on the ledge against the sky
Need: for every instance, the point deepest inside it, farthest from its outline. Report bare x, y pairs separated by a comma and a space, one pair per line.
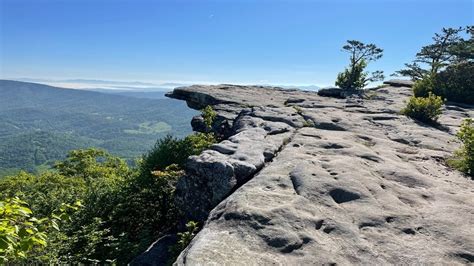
354, 77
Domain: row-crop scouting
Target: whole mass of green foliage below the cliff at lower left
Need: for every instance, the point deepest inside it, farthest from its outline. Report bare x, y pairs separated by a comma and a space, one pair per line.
124, 209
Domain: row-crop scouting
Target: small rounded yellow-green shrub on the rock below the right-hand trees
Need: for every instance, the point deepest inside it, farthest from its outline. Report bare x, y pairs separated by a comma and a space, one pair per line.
424, 109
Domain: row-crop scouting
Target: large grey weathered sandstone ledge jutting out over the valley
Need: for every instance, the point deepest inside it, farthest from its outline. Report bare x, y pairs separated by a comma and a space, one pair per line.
303, 179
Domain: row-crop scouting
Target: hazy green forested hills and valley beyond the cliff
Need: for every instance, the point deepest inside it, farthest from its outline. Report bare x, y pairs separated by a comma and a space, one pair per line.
40, 124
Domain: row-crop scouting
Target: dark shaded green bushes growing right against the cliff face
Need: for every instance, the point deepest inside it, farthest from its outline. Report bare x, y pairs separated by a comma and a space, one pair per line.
135, 213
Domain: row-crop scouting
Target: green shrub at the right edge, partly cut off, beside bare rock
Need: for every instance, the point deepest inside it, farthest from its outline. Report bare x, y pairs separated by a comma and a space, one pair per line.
464, 157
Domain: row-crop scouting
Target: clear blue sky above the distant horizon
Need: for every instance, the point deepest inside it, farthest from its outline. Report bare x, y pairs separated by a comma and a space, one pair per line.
235, 41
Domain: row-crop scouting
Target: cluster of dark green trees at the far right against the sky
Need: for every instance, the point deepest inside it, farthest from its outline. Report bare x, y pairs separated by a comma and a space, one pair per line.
446, 67
